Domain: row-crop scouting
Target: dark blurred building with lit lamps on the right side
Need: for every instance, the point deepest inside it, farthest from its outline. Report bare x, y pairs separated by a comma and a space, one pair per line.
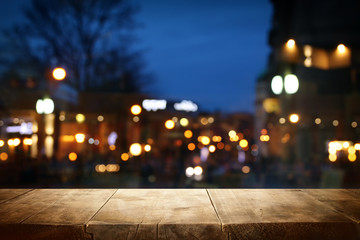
313, 72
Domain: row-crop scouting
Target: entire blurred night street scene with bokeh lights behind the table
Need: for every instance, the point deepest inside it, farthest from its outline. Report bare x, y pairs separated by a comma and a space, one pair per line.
179, 94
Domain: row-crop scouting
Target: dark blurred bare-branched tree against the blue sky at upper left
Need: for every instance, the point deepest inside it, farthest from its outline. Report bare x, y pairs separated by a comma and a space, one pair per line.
90, 38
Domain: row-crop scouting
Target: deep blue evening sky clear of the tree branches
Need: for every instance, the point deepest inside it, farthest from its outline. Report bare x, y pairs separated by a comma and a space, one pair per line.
208, 51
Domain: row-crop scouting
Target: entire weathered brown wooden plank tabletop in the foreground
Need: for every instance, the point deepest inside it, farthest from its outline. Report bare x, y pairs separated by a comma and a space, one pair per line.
179, 214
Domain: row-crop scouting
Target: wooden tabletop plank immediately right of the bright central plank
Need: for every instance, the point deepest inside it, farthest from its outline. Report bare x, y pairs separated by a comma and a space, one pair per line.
278, 214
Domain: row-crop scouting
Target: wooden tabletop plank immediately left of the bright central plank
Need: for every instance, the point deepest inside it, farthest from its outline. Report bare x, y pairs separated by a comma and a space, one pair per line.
51, 213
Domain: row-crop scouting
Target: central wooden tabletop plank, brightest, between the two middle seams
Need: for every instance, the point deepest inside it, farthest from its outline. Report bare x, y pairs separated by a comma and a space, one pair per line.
157, 214
